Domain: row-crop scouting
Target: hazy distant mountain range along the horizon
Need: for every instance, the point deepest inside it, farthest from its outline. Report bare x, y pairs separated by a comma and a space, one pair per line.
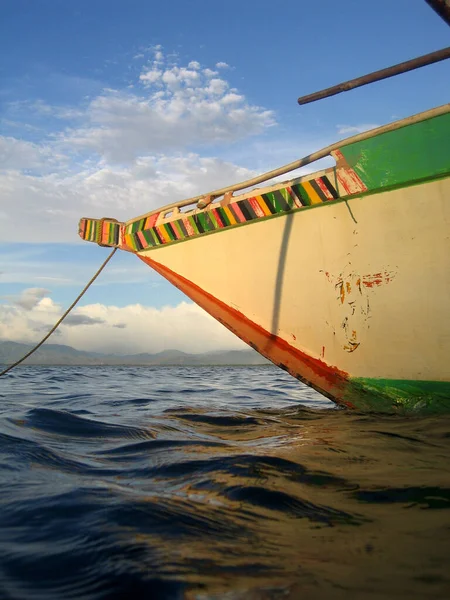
57, 354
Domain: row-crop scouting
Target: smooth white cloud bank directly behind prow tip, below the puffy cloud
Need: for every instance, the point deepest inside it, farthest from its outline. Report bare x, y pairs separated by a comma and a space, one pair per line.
47, 208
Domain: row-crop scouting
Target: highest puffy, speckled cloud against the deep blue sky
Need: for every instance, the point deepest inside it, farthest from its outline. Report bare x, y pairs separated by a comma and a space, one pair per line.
181, 107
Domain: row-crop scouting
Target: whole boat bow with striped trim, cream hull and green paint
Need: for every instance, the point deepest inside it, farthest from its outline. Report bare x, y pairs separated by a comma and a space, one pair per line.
341, 277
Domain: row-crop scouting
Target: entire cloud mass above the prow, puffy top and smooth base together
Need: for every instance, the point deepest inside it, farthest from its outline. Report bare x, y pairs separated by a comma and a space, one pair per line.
131, 153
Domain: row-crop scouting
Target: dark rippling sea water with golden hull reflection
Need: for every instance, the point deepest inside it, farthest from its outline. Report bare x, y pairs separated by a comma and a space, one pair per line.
211, 483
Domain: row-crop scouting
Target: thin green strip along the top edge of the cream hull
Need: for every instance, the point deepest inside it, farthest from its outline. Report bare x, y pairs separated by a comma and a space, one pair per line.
295, 210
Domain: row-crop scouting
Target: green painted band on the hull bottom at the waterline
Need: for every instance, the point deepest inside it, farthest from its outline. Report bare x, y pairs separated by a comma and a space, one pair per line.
399, 395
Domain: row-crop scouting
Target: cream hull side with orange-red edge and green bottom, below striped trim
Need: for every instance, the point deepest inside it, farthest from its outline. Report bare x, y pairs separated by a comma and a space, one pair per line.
350, 297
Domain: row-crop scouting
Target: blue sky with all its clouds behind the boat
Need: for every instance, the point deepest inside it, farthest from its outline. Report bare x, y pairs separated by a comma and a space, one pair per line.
113, 108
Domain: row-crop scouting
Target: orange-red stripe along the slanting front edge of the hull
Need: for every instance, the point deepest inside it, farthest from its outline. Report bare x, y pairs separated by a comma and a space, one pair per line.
326, 379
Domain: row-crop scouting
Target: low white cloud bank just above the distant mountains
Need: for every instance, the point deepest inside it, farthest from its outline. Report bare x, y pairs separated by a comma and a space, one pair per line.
128, 330
